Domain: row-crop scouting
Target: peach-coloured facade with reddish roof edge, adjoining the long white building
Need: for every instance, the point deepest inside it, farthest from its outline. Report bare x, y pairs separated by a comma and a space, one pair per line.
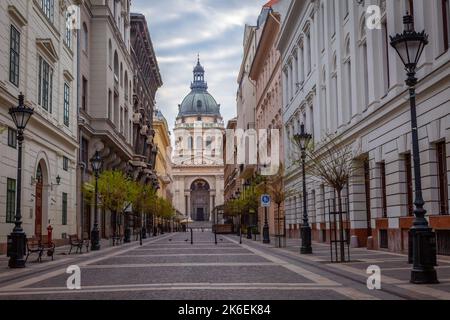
265, 71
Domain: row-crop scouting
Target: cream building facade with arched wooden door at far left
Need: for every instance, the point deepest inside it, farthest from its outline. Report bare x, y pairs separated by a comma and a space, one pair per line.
38, 58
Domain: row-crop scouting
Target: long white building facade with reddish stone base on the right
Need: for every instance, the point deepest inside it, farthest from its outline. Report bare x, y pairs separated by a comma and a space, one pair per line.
343, 80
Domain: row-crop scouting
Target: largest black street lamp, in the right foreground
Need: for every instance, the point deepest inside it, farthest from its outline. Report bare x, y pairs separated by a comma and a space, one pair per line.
409, 46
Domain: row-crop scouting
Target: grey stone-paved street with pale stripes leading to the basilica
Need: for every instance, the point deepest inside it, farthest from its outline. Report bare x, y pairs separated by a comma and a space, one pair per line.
168, 267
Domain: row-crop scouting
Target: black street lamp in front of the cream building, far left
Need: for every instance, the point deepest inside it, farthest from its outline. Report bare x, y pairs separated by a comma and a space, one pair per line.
16, 240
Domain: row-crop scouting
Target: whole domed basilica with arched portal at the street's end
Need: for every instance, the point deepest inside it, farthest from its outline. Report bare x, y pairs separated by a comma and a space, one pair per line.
197, 160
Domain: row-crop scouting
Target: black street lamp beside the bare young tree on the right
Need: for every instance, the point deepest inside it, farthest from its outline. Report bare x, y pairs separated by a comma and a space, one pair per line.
303, 140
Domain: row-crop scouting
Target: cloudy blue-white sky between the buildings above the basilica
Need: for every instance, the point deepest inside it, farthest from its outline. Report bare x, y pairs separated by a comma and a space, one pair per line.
213, 28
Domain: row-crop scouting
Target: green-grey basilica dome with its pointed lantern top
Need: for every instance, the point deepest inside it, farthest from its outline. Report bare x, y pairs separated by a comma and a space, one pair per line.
199, 102
